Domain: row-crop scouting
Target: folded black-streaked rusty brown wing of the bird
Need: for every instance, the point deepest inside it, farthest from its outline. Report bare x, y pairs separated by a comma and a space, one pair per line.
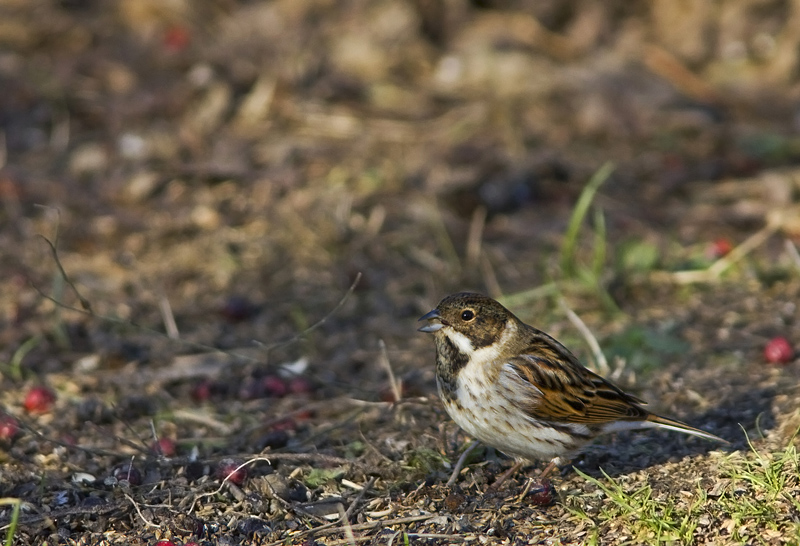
548, 383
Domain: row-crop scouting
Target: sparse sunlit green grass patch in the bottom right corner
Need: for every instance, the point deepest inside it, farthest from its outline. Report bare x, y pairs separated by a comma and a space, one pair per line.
749, 498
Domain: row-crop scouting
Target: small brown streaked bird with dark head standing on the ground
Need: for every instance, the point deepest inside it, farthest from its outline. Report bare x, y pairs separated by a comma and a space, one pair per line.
517, 389
